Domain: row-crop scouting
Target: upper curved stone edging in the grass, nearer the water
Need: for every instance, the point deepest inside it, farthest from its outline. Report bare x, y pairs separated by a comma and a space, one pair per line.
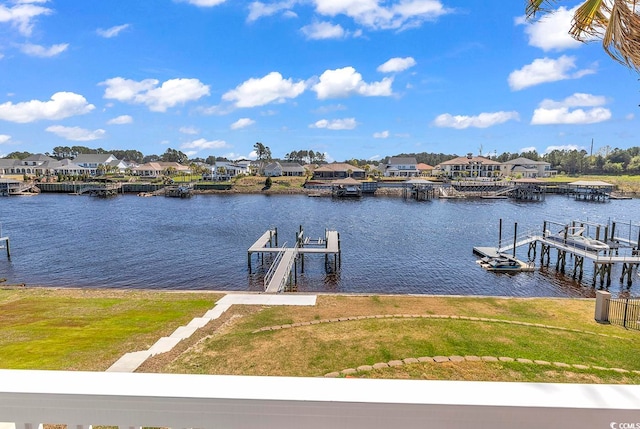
430, 316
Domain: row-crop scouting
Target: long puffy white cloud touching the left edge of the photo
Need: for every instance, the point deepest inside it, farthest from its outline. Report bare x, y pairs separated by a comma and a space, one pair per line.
62, 105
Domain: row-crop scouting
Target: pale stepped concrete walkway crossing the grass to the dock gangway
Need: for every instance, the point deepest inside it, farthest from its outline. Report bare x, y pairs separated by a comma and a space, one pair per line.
131, 361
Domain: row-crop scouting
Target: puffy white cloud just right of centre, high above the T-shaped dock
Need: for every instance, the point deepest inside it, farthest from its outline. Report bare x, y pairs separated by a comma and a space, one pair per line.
346, 81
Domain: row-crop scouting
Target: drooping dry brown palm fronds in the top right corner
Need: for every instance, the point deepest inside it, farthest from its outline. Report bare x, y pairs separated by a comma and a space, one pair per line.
616, 22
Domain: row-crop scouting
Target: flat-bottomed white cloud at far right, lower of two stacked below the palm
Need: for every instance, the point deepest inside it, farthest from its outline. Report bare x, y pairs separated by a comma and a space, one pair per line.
568, 111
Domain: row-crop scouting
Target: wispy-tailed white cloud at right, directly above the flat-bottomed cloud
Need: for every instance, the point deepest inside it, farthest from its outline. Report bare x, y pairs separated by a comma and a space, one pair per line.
544, 70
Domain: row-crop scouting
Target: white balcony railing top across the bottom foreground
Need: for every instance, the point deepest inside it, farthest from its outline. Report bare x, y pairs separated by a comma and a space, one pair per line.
29, 398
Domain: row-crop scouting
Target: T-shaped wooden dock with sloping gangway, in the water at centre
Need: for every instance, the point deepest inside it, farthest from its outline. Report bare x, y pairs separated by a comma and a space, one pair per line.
284, 267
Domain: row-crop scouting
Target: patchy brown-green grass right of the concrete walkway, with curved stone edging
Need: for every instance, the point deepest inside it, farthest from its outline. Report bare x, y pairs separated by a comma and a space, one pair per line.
231, 345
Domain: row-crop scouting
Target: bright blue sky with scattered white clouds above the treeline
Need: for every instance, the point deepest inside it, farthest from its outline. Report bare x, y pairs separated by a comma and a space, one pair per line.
350, 78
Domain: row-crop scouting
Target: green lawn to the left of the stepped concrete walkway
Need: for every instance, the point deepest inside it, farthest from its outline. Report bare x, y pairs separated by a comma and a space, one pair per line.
87, 330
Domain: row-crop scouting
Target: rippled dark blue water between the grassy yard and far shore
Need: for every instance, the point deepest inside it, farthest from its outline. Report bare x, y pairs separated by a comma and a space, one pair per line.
389, 245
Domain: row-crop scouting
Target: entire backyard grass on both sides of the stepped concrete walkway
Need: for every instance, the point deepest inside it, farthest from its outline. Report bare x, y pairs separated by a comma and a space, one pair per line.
90, 329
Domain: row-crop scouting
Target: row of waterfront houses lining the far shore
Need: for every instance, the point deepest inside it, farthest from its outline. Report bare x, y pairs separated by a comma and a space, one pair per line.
406, 167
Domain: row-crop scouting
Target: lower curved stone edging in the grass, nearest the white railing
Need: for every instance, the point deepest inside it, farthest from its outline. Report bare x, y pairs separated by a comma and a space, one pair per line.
442, 359
